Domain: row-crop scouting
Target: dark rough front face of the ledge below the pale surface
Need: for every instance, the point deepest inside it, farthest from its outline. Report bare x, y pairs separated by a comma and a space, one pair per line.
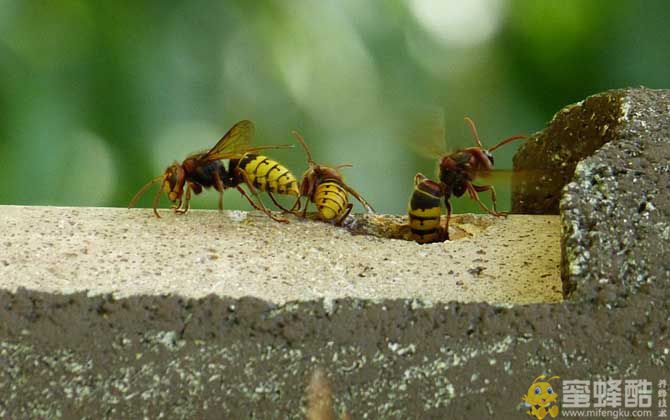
76, 356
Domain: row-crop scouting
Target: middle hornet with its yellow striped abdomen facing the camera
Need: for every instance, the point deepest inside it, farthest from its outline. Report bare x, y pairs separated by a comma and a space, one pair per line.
325, 187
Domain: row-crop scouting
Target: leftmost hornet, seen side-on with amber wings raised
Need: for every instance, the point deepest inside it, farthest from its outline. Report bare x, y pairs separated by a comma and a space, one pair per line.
207, 170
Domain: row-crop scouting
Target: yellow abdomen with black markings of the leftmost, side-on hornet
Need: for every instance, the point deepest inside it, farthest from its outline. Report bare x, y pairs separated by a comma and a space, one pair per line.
269, 175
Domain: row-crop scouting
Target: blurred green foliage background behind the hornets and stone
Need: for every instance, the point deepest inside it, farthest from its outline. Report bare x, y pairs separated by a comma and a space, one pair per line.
97, 97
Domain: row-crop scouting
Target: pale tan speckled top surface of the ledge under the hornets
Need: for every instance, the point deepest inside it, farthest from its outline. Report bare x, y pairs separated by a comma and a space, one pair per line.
237, 254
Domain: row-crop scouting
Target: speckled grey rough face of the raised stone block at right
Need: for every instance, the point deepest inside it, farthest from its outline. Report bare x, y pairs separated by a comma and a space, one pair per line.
616, 212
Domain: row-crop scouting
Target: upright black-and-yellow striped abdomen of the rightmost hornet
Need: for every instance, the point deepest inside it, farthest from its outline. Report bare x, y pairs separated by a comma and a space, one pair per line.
425, 211
